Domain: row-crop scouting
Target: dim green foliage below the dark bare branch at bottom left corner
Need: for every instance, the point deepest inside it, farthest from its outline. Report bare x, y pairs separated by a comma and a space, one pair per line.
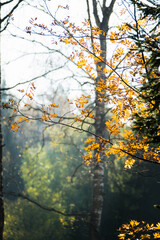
25, 221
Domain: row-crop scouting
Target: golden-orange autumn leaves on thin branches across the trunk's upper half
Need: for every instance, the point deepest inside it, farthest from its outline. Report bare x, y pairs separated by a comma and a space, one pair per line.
120, 89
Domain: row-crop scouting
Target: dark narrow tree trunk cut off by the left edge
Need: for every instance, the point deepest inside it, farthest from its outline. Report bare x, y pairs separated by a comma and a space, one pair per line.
1, 164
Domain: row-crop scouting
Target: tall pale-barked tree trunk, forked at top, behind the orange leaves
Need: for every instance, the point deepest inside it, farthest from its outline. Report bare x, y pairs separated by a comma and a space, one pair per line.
98, 180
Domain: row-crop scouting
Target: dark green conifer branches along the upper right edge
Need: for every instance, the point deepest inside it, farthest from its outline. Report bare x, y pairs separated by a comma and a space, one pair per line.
146, 122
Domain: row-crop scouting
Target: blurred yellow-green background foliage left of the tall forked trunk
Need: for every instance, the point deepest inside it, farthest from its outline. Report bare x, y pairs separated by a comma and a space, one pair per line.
46, 175
